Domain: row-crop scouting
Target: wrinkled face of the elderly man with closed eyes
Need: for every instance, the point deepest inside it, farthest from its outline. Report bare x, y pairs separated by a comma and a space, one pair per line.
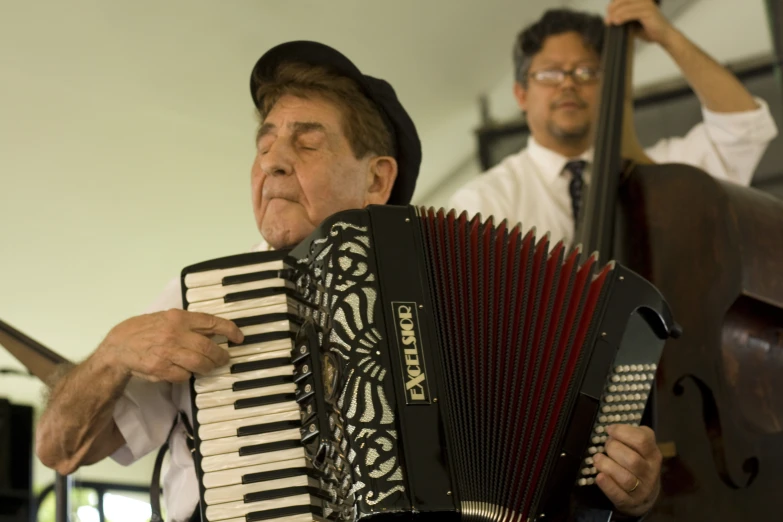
304, 170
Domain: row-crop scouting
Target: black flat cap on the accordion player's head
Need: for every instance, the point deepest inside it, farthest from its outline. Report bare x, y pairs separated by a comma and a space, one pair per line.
406, 142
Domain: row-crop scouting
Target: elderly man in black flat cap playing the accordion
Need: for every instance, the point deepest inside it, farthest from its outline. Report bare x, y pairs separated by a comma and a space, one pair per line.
330, 138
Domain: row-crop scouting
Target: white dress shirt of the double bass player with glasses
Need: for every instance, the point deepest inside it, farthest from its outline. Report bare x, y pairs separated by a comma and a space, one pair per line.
531, 186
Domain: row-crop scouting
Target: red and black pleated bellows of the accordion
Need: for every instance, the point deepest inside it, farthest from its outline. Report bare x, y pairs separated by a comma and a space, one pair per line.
512, 315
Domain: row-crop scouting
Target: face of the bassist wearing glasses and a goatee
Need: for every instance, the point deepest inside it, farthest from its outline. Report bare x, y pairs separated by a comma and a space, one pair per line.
562, 110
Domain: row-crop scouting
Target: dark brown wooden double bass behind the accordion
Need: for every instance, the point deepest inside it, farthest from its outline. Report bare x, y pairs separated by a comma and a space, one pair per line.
715, 251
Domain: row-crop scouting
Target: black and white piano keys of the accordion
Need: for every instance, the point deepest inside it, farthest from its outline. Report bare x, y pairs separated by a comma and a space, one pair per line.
253, 464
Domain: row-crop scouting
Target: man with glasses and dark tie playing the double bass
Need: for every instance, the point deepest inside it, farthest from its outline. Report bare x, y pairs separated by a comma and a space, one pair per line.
557, 63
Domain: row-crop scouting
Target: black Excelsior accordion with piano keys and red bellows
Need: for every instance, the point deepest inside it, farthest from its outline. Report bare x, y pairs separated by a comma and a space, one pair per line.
407, 362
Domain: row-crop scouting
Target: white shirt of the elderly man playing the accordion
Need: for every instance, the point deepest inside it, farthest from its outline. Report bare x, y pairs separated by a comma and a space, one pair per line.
145, 413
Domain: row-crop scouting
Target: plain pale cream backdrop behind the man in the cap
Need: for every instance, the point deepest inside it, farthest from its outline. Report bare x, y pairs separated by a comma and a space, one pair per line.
127, 126
